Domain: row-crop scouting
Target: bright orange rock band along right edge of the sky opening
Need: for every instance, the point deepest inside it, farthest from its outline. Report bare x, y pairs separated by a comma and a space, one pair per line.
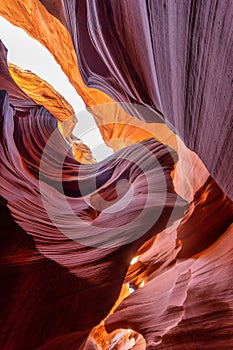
113, 121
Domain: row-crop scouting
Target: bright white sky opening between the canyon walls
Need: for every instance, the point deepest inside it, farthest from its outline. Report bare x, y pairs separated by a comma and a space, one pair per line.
27, 53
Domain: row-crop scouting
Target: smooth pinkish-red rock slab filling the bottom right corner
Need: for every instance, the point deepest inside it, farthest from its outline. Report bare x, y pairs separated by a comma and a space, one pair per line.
183, 307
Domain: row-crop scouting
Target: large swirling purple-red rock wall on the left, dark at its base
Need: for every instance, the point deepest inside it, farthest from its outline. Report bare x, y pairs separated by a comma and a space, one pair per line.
46, 190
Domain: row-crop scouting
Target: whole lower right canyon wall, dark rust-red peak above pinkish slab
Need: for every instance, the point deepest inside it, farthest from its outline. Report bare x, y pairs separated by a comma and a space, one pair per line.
169, 298
